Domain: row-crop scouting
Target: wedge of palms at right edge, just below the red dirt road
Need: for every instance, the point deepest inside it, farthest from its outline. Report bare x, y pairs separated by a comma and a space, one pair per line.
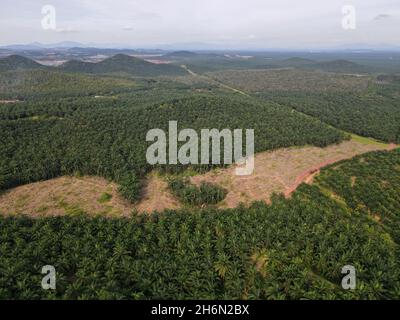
369, 184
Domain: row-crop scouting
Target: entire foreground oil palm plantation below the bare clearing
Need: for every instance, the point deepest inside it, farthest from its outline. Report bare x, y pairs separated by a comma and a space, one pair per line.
292, 249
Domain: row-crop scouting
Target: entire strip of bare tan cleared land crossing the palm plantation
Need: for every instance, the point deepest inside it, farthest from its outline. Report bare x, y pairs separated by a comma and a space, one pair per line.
280, 171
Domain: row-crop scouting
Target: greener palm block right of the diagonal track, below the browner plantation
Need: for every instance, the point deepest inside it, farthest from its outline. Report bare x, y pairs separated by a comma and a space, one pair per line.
374, 113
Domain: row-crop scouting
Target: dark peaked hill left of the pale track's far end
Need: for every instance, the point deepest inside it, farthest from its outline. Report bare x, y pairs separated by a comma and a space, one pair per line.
122, 63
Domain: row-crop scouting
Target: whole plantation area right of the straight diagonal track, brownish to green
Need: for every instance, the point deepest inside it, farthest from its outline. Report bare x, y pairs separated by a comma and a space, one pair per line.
363, 105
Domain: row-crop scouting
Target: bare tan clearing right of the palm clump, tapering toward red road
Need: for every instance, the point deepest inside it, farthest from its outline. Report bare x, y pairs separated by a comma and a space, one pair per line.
281, 171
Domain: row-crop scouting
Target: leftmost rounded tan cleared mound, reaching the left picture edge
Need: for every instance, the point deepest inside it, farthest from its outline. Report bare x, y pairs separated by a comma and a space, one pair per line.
65, 196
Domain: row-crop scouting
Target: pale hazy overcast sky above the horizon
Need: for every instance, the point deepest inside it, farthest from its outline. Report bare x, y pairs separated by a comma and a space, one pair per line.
230, 23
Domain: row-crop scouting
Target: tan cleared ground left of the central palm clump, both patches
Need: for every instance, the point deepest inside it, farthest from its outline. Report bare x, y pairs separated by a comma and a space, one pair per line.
71, 195
